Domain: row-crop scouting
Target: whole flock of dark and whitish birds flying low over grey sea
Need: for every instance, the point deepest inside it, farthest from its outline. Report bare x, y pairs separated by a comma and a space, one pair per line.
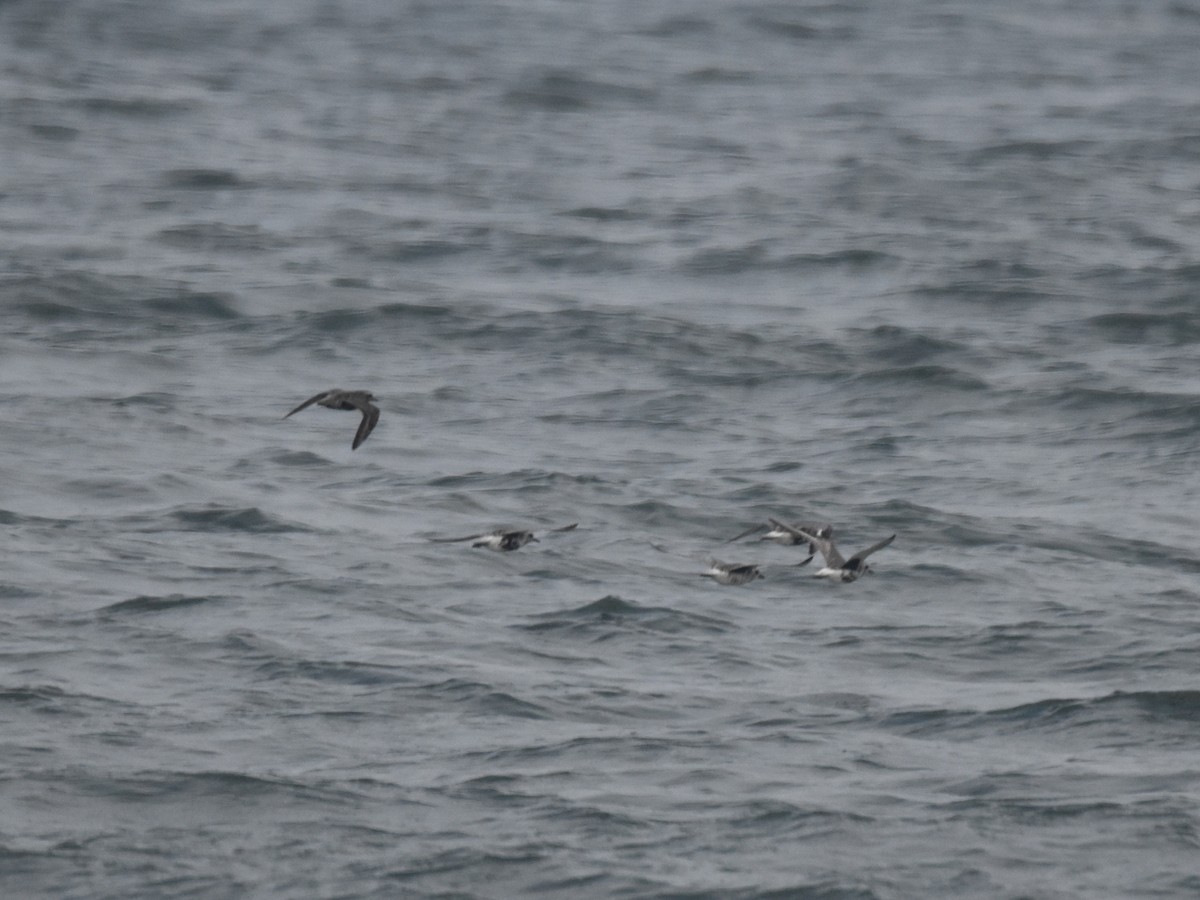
817, 537
